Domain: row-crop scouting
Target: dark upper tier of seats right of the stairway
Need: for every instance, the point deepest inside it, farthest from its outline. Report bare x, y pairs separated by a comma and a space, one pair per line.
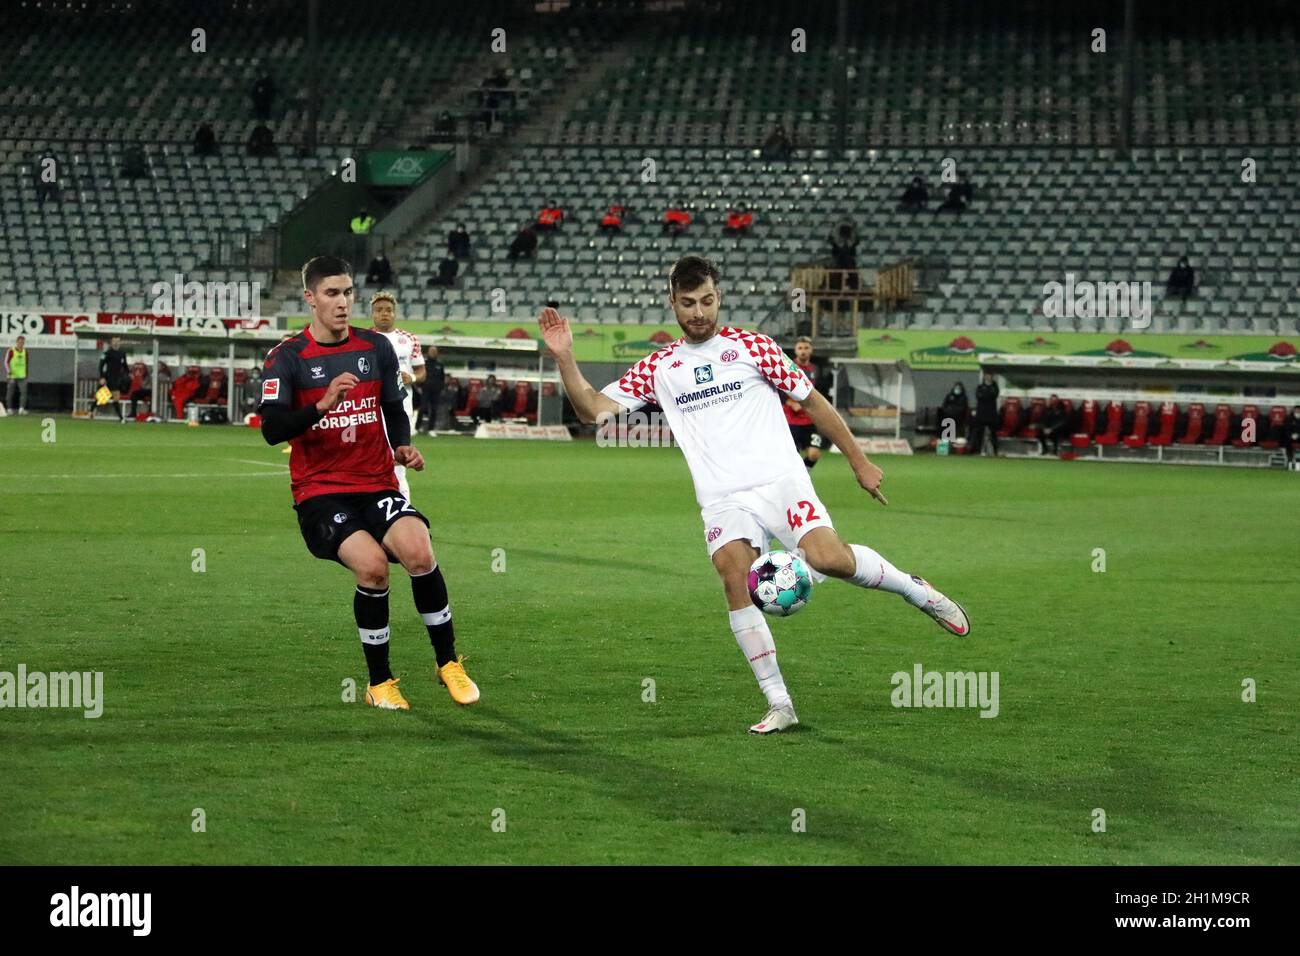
978, 80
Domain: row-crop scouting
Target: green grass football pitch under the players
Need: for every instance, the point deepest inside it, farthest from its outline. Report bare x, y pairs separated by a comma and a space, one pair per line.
1119, 690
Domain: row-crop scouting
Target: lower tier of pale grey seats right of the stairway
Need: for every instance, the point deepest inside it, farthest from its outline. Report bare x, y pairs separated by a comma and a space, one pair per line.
1037, 218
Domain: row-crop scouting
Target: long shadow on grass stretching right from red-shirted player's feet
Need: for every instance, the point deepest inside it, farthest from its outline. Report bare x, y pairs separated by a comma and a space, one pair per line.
721, 806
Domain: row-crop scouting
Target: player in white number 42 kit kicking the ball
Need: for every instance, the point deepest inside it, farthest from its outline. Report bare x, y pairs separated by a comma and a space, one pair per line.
721, 391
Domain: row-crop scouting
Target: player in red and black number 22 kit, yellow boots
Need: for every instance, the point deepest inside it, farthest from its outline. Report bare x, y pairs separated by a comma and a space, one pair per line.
332, 391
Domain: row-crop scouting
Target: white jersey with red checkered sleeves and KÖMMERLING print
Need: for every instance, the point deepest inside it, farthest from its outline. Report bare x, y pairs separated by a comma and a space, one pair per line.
723, 403
